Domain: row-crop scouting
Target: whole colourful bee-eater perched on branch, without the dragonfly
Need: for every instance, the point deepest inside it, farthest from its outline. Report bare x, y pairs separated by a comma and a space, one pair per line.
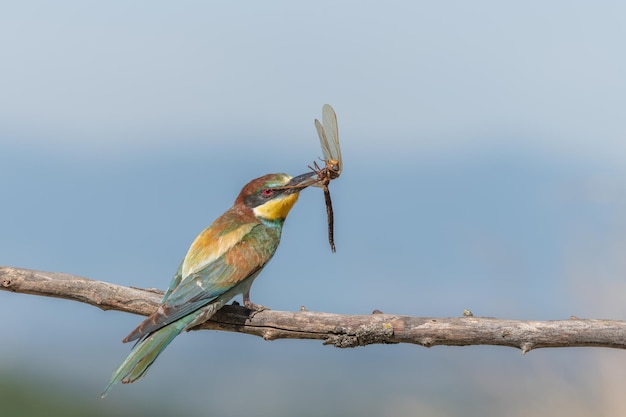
221, 263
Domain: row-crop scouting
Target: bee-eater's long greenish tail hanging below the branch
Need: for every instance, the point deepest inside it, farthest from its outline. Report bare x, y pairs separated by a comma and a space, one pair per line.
145, 352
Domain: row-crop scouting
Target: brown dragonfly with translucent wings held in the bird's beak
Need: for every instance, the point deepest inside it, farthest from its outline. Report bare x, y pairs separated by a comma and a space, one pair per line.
328, 132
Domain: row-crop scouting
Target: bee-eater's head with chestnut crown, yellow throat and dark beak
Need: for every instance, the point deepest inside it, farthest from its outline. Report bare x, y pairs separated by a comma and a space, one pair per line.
272, 196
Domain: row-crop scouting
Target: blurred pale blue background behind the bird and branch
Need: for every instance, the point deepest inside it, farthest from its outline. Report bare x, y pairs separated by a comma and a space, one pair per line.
483, 148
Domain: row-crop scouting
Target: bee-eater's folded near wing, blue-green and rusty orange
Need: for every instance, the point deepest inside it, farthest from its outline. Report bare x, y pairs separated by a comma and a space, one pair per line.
241, 261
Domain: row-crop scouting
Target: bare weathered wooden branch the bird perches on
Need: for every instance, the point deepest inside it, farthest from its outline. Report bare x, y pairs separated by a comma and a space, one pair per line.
334, 329
